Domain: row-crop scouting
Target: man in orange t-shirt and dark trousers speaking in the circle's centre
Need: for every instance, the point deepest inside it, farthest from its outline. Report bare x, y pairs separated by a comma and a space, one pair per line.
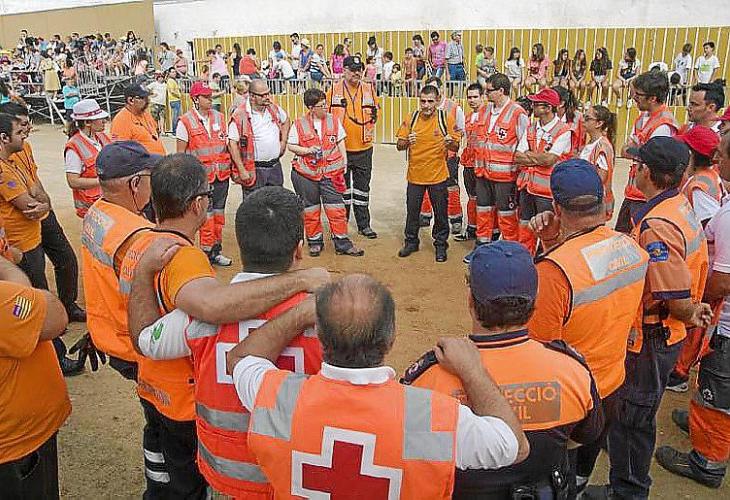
428, 137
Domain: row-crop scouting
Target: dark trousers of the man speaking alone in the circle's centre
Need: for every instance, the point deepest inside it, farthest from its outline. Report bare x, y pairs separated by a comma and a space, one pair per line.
438, 193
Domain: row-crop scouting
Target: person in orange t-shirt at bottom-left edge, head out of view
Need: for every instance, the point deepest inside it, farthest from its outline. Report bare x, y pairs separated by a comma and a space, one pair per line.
34, 402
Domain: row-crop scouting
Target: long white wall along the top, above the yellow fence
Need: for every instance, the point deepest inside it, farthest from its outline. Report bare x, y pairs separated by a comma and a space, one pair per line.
178, 21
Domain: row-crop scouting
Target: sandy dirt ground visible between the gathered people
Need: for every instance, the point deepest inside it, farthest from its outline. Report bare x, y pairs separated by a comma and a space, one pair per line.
99, 446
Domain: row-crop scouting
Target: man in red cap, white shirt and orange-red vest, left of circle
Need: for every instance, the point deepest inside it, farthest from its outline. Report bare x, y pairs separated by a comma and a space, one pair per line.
201, 132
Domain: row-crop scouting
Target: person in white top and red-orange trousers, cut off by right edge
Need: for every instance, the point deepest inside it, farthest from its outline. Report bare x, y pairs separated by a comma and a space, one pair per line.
708, 419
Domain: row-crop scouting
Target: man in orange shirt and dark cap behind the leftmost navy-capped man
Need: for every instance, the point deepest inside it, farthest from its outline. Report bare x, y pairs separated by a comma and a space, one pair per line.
135, 123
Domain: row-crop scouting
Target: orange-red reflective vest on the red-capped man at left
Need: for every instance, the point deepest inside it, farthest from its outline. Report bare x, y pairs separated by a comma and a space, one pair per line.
211, 149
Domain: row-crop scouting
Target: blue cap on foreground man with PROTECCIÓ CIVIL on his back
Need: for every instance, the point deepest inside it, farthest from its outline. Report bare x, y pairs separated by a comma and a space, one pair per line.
502, 269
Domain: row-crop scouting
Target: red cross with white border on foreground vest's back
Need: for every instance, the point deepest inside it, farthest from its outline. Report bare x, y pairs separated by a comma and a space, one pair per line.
344, 468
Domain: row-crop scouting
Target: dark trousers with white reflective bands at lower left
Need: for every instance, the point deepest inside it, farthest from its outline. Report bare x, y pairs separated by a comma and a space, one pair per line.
170, 450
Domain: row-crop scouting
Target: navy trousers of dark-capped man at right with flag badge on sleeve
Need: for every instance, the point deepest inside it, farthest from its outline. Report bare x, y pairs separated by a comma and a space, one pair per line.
632, 436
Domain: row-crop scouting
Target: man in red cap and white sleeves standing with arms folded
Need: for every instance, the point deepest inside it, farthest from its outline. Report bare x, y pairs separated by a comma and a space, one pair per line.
546, 142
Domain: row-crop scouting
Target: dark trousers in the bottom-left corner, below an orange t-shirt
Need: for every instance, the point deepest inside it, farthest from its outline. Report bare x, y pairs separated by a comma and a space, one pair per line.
34, 476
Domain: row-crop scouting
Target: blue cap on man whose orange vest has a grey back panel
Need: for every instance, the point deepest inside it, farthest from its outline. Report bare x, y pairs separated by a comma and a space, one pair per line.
576, 178
